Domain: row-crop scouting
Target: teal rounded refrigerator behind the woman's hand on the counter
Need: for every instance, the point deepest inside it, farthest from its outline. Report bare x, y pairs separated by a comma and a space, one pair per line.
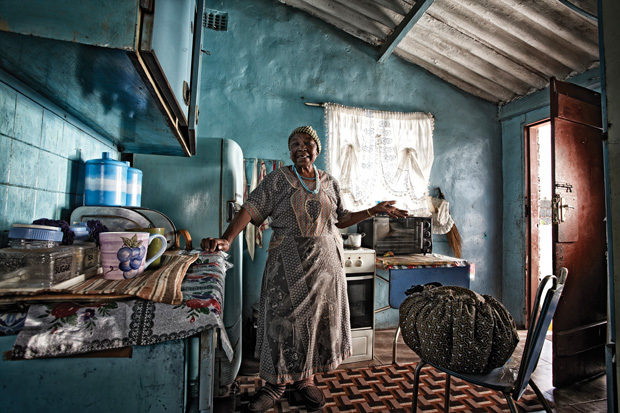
200, 194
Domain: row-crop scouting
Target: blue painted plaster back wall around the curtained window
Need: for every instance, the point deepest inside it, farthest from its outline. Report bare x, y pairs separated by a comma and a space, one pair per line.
273, 58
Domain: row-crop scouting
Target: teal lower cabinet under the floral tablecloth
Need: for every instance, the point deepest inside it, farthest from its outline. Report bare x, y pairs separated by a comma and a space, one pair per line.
174, 376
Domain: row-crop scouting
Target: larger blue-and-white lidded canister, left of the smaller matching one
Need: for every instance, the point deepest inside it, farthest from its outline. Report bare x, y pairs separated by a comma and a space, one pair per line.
105, 183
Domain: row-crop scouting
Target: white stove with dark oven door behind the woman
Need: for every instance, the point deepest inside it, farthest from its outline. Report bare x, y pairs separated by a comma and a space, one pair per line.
359, 266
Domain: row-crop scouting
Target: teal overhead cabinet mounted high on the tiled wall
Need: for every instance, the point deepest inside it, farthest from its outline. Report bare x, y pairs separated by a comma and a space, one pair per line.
129, 69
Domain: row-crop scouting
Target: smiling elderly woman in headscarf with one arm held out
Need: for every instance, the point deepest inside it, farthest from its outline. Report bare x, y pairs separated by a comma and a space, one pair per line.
303, 314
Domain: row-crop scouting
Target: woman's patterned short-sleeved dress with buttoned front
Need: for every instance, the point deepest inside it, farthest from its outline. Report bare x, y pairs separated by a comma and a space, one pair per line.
303, 325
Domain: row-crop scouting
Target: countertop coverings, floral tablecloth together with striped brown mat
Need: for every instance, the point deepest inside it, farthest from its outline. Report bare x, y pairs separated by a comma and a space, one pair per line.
165, 304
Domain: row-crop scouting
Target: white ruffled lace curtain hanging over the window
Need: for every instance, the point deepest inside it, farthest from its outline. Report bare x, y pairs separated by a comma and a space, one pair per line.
380, 156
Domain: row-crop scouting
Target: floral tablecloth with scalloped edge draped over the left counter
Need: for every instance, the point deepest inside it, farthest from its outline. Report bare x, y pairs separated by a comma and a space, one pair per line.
67, 328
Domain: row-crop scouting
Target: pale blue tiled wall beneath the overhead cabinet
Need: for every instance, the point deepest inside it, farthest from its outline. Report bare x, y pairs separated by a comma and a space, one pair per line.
42, 157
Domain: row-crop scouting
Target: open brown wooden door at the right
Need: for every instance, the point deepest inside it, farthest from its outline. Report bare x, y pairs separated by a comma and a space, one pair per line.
580, 322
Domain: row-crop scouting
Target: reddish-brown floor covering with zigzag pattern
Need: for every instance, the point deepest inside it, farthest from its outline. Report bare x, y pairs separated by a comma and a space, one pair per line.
388, 389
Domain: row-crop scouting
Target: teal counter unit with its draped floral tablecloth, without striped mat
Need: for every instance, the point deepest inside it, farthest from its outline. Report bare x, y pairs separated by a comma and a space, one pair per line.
170, 360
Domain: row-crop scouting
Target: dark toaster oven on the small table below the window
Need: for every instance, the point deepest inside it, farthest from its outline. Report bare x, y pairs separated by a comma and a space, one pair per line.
411, 235
